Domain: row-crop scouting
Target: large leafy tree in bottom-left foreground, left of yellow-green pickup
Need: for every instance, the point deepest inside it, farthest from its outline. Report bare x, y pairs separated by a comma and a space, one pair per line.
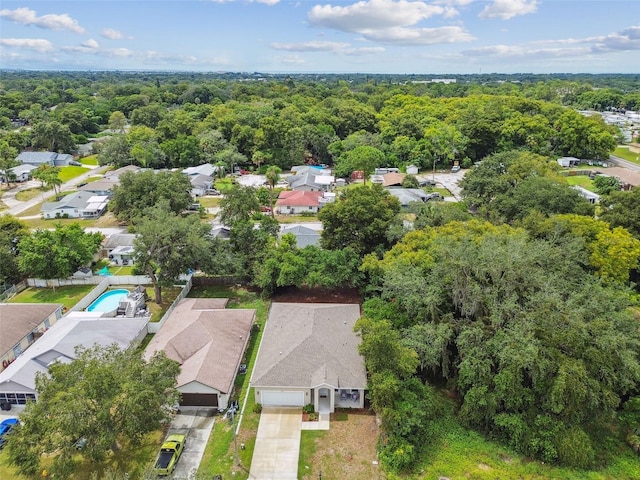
105, 396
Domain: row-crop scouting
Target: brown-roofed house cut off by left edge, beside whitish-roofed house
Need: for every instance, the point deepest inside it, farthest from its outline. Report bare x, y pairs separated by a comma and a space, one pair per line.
21, 324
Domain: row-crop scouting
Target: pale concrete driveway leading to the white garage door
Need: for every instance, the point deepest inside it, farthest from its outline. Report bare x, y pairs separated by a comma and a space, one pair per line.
275, 456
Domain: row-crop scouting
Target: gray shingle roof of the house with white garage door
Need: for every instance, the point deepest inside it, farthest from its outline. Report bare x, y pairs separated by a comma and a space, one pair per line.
310, 344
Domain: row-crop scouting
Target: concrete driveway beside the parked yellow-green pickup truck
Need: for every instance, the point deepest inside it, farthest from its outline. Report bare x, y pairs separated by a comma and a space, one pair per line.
196, 423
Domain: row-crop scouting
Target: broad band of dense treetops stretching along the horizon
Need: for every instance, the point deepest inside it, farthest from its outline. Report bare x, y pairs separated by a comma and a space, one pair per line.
163, 120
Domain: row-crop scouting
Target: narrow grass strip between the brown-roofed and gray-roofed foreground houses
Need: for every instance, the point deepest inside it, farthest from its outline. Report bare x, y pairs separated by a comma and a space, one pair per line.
219, 455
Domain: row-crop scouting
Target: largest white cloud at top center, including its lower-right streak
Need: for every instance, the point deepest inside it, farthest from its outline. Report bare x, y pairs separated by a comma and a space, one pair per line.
390, 21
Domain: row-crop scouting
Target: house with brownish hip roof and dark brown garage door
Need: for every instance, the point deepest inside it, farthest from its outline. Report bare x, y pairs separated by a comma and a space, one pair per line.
209, 343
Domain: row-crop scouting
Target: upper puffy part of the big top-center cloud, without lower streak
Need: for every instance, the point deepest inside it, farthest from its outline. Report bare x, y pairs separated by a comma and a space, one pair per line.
374, 14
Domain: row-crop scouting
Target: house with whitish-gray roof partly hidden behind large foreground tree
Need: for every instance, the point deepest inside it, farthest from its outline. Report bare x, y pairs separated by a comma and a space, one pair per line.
58, 344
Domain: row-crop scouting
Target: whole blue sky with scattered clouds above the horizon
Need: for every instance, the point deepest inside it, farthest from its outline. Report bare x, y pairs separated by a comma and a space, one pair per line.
332, 36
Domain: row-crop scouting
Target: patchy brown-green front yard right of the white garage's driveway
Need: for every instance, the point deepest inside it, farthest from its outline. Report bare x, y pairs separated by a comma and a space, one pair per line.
347, 450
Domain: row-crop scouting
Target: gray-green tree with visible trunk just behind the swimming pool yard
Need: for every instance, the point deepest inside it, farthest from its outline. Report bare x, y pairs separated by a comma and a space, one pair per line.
167, 245
